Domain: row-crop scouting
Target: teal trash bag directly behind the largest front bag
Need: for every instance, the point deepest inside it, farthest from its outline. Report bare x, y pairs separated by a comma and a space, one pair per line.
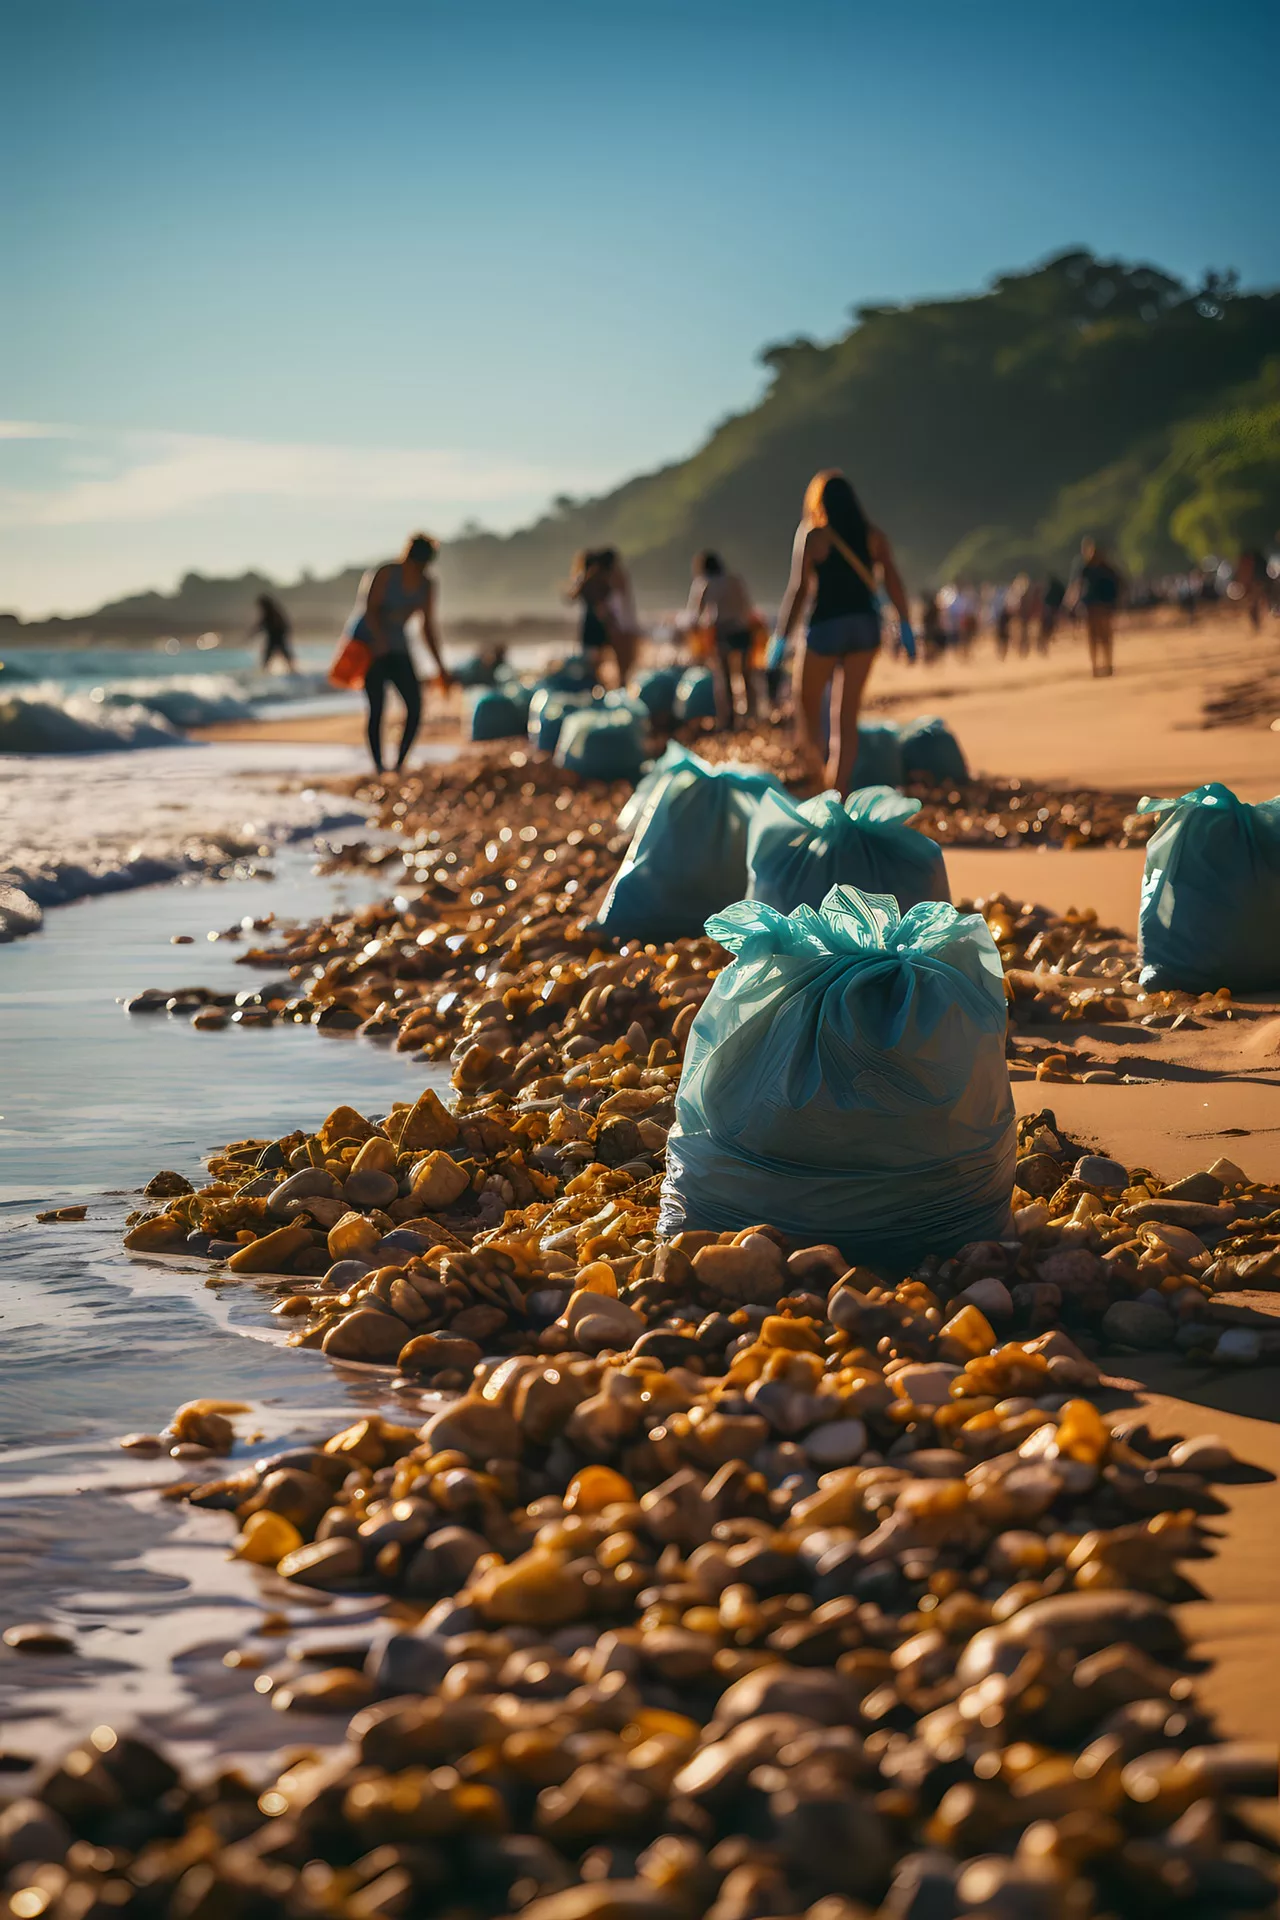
797, 852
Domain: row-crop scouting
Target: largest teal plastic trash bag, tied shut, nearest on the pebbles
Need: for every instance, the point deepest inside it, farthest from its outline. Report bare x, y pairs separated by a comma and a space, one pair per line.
845, 1082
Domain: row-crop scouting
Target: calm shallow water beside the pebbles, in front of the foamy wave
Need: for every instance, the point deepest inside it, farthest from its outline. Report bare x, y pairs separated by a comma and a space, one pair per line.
95, 1343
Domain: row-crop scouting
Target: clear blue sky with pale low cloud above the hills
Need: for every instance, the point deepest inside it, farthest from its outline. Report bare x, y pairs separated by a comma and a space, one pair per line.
293, 276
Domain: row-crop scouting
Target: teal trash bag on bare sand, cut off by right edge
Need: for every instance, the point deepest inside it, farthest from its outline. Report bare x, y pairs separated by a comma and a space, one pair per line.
1212, 894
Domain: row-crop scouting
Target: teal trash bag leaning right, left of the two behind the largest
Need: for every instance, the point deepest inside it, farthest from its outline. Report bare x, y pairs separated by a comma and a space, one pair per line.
688, 853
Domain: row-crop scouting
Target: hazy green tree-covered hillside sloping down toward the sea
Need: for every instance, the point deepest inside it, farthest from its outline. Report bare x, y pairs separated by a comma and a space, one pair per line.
985, 435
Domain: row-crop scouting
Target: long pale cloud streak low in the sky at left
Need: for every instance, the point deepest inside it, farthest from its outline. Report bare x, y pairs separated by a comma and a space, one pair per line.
168, 475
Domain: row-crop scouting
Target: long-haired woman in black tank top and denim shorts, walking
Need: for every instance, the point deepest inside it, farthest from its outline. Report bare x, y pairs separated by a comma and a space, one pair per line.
836, 565
